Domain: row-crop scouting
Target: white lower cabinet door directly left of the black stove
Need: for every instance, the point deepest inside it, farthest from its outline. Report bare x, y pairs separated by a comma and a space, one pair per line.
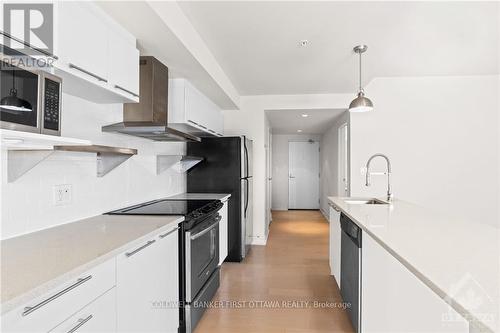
148, 286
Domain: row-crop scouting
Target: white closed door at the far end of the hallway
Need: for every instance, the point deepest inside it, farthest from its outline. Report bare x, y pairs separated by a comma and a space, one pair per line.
303, 177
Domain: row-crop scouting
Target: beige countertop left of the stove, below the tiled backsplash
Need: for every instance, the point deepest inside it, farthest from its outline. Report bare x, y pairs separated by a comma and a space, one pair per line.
34, 263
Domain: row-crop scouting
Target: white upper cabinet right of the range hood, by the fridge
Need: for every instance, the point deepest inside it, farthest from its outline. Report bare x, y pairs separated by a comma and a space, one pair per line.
189, 109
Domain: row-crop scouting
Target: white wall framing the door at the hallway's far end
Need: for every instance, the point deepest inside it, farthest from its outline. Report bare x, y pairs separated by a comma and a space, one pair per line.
280, 167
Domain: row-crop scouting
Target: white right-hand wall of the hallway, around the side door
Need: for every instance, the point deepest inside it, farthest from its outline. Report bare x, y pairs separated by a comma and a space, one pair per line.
329, 158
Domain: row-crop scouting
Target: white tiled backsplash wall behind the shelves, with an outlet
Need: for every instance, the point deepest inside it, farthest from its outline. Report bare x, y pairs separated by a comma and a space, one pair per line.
27, 203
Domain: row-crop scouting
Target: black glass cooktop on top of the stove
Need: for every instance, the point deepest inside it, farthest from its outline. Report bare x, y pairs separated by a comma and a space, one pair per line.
164, 207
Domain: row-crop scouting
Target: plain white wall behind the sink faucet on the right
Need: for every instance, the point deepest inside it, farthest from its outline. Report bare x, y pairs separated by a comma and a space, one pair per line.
441, 134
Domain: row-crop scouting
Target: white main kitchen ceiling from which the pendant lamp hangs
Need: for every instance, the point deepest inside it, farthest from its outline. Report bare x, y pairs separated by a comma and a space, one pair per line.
256, 43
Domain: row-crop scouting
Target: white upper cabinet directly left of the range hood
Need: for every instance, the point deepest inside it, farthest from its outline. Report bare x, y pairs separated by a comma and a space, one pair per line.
97, 59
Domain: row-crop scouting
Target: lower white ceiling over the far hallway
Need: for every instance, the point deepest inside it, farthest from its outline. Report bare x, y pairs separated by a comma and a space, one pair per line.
289, 121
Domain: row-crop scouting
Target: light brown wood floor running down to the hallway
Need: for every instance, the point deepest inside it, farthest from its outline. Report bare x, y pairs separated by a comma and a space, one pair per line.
276, 287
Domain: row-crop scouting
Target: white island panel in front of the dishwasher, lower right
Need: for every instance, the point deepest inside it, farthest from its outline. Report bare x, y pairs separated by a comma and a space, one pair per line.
395, 300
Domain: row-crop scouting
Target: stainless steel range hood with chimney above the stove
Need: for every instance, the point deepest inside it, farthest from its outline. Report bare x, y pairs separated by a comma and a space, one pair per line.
149, 118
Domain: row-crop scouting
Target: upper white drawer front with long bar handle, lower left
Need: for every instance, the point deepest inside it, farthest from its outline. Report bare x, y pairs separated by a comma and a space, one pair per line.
46, 312
